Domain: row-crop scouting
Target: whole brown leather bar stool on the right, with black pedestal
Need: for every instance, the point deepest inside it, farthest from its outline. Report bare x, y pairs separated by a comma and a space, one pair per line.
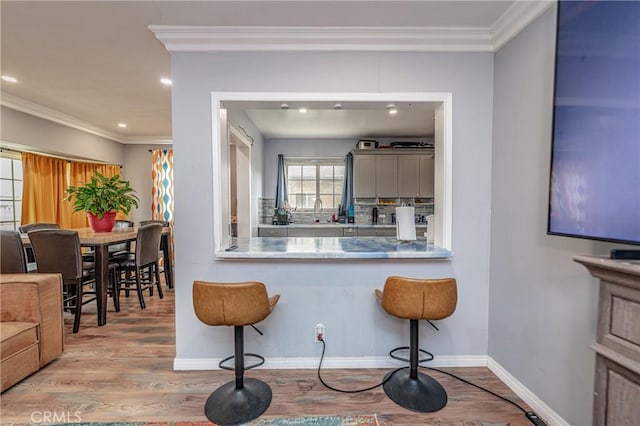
417, 299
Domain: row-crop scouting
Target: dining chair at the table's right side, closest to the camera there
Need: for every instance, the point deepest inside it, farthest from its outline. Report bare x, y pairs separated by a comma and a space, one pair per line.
142, 272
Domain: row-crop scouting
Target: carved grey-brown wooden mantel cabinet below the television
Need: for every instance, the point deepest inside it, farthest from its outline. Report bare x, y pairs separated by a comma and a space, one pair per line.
616, 399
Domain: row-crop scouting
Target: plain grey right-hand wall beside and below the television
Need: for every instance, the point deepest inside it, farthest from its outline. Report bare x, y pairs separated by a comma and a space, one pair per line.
542, 311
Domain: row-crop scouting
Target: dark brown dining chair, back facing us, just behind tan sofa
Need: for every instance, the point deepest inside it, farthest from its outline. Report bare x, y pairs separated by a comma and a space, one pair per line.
58, 251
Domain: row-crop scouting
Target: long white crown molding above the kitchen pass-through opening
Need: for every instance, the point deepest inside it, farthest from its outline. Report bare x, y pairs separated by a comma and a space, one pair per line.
260, 38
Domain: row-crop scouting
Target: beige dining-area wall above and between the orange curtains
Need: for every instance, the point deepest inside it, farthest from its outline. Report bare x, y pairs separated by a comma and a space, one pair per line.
39, 135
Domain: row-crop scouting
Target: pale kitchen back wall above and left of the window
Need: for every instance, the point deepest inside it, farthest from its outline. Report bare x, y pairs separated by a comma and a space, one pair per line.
324, 148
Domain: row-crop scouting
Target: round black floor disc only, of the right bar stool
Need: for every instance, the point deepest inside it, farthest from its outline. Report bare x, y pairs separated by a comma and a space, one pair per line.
423, 394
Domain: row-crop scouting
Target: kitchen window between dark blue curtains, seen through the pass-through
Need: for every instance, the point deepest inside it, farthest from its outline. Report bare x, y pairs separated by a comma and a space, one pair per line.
310, 180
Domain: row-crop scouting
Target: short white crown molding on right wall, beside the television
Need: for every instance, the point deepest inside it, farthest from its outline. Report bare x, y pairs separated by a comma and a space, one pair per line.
515, 19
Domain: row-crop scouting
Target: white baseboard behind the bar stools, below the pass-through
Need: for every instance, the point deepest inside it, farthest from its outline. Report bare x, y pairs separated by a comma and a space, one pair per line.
311, 363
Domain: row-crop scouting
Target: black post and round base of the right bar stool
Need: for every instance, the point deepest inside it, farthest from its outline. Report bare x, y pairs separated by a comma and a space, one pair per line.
411, 389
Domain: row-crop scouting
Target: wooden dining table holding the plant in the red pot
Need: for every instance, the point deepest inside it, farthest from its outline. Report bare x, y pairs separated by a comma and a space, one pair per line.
100, 242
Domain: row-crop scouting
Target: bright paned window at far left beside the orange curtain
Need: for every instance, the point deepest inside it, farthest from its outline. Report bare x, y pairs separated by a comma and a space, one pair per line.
10, 191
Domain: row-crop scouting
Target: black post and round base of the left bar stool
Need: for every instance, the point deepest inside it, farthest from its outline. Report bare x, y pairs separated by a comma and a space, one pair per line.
241, 400
